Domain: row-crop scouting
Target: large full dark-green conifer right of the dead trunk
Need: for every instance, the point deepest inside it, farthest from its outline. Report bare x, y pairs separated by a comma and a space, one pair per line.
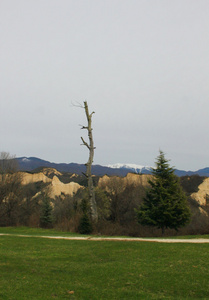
165, 204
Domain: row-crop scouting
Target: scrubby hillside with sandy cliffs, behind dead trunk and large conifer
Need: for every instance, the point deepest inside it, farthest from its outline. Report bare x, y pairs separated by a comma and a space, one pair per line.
27, 196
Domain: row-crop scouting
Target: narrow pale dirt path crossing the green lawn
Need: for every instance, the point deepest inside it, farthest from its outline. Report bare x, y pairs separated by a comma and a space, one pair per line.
89, 238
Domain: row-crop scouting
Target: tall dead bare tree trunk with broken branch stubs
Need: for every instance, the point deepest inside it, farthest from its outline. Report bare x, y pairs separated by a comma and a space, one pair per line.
90, 146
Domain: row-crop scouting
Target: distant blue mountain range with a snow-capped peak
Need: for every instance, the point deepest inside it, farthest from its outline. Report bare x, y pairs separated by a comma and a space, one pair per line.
33, 163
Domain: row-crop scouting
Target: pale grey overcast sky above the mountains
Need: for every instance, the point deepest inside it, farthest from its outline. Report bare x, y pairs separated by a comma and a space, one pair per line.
142, 66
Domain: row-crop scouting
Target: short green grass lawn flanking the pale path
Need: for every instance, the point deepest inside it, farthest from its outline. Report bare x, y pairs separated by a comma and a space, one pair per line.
65, 269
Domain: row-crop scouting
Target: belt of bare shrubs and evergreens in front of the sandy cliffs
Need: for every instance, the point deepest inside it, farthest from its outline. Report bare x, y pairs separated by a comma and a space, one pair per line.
162, 207
